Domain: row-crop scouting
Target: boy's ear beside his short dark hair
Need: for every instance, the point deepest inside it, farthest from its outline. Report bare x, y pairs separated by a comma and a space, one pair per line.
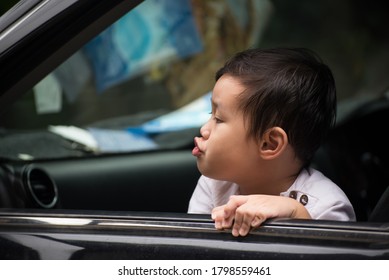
273, 143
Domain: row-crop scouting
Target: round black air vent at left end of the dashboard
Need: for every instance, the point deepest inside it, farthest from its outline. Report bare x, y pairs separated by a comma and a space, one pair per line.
41, 187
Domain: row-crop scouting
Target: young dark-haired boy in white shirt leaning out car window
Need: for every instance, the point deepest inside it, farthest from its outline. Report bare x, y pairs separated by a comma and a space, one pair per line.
271, 109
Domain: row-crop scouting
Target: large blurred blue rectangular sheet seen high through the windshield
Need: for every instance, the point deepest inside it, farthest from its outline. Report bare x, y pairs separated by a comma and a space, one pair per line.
157, 31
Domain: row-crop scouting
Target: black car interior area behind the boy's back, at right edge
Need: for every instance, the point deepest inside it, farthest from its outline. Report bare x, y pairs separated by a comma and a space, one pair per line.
357, 160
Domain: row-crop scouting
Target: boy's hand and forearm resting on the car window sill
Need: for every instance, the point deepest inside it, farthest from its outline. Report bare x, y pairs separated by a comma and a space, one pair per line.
243, 212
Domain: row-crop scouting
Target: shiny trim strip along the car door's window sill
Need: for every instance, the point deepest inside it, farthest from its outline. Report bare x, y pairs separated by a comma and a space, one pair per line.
279, 229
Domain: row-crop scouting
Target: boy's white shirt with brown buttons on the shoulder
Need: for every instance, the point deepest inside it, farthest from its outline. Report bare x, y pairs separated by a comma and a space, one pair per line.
322, 198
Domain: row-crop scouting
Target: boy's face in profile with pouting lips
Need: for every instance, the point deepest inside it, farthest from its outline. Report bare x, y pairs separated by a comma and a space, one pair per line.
224, 151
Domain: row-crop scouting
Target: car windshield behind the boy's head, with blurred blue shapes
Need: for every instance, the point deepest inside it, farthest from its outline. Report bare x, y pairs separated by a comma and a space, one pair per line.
145, 82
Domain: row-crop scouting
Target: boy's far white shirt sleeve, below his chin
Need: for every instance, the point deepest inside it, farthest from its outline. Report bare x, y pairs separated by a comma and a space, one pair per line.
201, 201
